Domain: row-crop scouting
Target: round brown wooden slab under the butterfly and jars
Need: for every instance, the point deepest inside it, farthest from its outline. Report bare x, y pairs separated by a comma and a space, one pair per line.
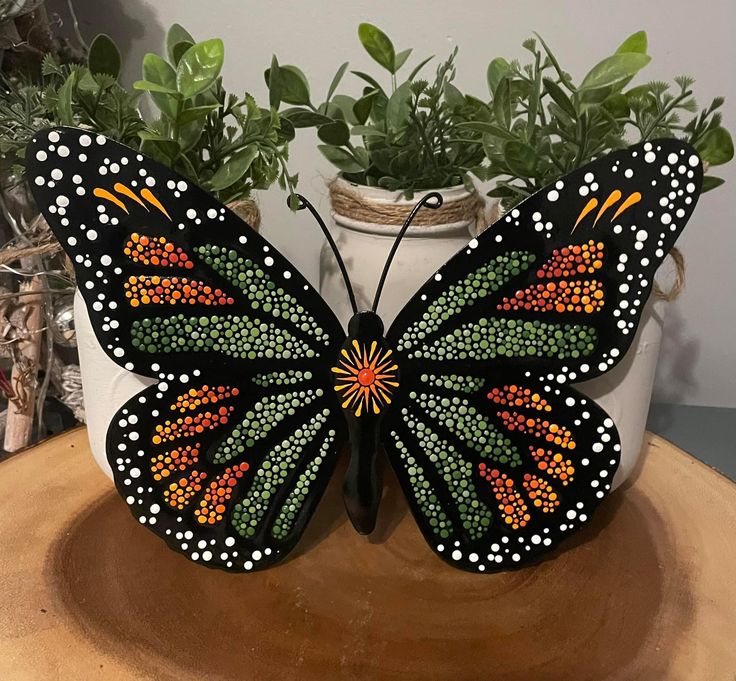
647, 592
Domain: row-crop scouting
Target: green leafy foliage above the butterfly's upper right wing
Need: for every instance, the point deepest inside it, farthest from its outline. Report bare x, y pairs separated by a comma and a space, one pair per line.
544, 124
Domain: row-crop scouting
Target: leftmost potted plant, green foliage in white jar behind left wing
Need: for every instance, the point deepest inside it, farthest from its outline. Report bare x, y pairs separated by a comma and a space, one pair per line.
225, 143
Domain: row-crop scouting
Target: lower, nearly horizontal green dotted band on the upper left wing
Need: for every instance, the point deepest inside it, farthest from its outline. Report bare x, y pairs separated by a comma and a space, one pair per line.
242, 337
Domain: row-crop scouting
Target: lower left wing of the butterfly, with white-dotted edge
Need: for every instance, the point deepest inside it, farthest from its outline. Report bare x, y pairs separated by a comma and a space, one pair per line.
228, 471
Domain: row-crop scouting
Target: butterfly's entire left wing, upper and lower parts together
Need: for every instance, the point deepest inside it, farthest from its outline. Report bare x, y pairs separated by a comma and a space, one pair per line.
226, 456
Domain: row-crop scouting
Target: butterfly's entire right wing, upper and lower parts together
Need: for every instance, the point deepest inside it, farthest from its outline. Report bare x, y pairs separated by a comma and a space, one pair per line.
499, 457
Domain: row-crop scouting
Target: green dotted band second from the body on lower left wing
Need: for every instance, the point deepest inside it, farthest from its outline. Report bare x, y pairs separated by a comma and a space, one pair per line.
271, 474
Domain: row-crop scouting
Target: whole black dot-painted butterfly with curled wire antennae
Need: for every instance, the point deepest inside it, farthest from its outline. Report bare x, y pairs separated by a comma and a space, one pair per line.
259, 387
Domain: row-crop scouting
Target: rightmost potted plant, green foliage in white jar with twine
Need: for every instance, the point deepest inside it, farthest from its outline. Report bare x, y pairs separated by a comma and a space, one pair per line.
542, 125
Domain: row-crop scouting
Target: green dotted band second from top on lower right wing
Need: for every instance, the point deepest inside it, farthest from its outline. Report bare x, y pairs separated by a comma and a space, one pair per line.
470, 426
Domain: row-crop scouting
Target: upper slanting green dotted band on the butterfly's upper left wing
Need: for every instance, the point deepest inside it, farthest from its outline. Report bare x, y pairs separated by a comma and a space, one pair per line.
262, 292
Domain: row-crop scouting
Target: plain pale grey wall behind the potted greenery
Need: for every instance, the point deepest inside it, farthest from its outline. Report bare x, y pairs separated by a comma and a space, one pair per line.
699, 361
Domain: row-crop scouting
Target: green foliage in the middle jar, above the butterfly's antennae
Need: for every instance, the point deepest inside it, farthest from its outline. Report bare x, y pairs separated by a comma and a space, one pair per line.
401, 135
